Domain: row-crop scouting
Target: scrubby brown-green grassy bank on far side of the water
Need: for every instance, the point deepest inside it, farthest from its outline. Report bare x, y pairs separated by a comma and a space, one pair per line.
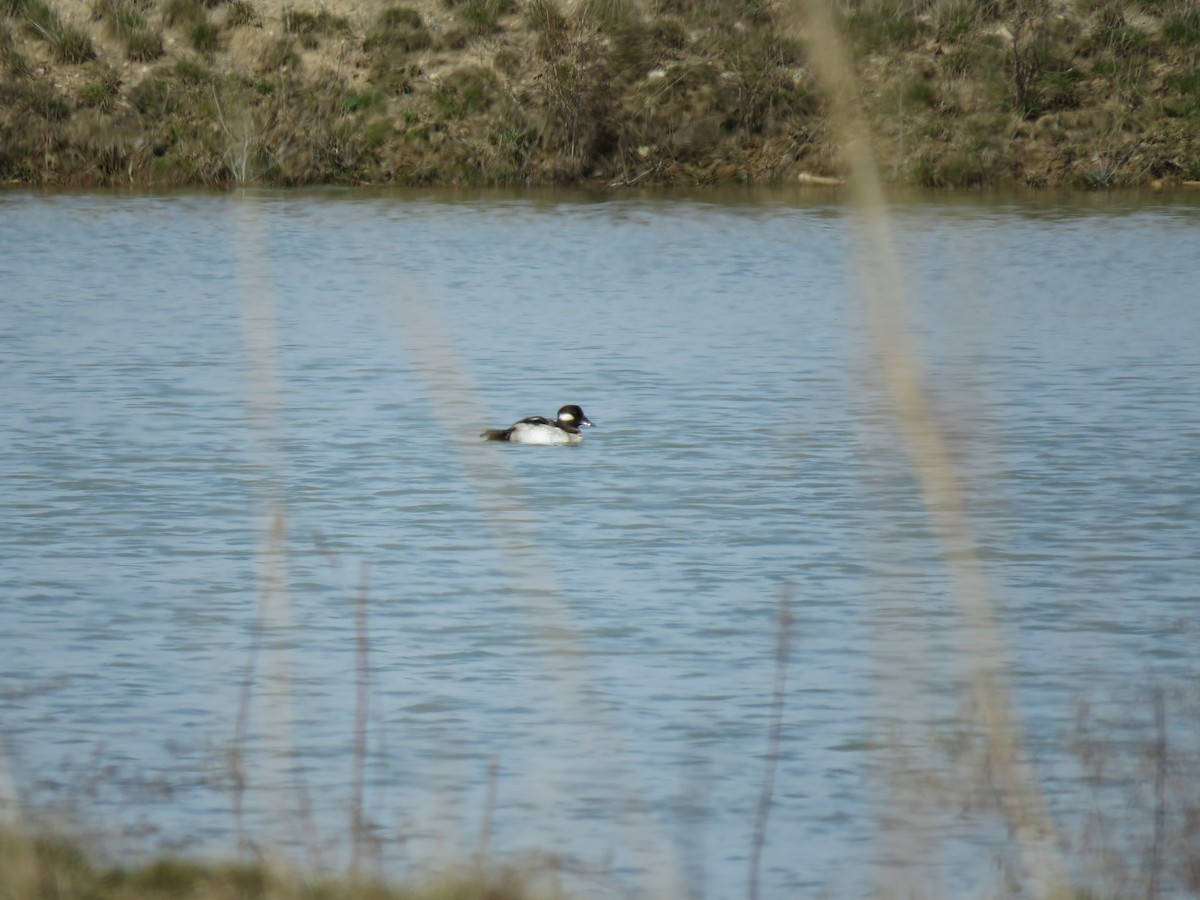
215, 93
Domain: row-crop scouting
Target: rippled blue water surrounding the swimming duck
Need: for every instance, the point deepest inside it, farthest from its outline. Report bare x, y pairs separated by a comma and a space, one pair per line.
587, 634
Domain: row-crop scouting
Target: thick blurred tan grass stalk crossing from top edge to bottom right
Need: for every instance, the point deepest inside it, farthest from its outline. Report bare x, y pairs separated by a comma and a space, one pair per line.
883, 293
